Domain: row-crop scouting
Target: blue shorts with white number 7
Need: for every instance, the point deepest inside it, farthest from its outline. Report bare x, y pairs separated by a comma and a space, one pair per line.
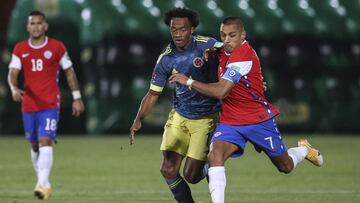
264, 136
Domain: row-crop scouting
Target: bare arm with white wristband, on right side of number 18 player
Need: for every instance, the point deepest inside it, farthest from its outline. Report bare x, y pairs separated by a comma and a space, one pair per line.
77, 105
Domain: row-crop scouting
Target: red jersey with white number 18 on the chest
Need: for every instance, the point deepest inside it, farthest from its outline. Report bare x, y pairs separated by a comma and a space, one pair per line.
40, 66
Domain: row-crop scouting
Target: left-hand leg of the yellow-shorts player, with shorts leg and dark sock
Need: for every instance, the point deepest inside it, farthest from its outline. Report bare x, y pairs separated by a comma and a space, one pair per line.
174, 147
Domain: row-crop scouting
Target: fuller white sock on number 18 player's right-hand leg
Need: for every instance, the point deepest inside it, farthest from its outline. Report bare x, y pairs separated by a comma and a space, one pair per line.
45, 162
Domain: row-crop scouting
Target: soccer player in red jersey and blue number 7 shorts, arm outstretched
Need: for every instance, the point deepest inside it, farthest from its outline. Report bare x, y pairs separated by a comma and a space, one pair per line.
246, 115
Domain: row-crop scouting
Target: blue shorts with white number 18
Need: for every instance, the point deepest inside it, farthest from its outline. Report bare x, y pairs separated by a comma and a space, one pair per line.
41, 124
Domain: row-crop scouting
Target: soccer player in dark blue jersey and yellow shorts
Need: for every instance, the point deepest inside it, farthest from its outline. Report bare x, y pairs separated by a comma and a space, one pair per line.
194, 116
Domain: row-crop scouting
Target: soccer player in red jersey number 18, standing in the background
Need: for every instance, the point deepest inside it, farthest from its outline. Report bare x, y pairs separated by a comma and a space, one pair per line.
39, 57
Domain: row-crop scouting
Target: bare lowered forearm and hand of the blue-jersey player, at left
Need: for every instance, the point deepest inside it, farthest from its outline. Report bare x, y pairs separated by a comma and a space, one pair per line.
147, 104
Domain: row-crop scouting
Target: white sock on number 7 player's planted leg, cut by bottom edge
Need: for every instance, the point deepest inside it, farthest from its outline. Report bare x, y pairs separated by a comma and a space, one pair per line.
217, 184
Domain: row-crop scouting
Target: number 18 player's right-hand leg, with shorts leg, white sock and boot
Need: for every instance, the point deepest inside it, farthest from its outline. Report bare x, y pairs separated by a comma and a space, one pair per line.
47, 128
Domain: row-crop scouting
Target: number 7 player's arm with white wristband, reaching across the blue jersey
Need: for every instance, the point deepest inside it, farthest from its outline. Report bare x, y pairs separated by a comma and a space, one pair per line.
219, 89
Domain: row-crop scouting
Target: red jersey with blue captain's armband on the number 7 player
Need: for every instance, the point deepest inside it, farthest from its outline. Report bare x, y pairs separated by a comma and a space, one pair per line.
246, 103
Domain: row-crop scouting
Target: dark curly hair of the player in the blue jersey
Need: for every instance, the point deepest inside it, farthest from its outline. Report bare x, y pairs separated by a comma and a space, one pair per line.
182, 12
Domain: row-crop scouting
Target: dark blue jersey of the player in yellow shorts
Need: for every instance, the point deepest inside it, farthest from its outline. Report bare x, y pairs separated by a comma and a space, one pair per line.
188, 102
